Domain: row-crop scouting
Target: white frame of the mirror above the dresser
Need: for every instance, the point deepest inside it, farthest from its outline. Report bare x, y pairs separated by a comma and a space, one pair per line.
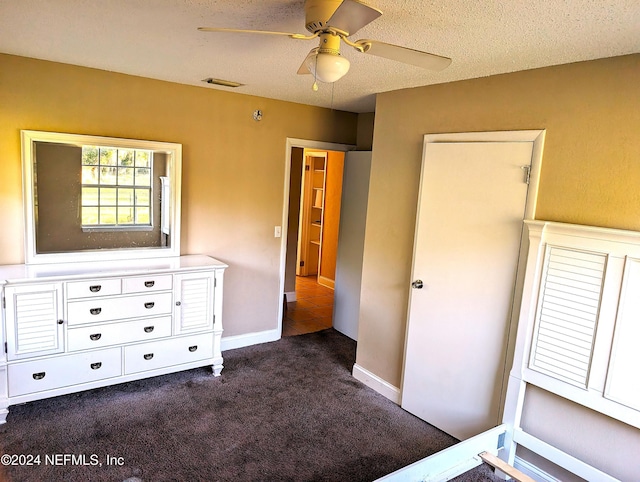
30, 137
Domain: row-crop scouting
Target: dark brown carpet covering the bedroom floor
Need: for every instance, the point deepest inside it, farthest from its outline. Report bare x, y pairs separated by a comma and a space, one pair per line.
283, 411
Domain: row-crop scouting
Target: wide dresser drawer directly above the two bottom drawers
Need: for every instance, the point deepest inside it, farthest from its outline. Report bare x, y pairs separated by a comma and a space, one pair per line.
98, 336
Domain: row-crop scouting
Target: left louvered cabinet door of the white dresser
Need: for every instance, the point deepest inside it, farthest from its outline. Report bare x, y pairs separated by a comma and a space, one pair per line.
34, 320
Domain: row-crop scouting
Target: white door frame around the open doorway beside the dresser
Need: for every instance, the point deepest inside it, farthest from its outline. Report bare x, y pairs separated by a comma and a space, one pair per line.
304, 144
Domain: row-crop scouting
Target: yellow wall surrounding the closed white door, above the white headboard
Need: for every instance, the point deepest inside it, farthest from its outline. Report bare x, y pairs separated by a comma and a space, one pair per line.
590, 175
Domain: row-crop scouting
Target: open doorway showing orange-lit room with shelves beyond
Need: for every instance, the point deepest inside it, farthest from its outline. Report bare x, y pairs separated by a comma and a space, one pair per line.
311, 226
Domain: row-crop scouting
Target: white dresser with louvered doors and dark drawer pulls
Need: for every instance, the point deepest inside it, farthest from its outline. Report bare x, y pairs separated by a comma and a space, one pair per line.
76, 326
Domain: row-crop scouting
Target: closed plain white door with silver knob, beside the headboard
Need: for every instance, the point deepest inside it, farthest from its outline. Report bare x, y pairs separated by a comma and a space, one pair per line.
468, 233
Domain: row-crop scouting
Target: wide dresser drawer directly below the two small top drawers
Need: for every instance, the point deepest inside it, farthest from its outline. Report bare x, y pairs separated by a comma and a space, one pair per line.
118, 308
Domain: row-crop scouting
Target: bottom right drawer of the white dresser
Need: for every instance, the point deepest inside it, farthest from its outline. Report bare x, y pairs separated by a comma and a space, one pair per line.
175, 351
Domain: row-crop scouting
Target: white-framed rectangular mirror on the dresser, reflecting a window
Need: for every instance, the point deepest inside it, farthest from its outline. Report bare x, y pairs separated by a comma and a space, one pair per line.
92, 198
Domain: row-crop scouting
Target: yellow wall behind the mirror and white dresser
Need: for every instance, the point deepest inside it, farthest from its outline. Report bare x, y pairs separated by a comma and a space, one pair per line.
233, 166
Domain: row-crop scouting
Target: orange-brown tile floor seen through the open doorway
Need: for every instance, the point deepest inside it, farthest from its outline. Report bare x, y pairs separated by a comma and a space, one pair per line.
312, 310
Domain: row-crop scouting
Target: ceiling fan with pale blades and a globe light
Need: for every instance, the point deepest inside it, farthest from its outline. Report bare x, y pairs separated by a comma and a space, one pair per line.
336, 20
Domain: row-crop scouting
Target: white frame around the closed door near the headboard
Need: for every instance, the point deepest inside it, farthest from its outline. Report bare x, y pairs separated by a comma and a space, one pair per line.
537, 138
